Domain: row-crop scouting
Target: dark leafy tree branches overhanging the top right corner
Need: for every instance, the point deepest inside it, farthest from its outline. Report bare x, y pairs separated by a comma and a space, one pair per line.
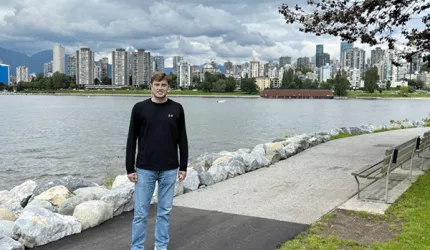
369, 21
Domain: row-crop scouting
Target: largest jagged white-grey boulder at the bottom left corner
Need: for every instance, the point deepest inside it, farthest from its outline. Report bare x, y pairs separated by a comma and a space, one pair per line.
39, 226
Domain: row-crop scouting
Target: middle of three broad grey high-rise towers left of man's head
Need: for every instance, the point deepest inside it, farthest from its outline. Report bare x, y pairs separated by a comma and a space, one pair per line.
120, 65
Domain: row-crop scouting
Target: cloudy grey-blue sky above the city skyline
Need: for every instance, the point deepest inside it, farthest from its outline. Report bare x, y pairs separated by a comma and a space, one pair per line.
198, 30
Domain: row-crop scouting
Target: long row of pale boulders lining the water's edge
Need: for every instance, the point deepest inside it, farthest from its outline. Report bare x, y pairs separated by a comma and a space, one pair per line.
34, 214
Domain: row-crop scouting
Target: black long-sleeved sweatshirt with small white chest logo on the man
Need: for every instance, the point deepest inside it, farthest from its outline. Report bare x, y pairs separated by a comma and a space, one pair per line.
159, 128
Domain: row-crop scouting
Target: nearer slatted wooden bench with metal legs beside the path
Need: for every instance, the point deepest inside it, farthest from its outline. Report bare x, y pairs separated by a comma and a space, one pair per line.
394, 158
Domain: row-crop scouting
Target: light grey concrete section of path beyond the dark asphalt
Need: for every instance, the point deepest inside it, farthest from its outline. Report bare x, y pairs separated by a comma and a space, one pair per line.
302, 188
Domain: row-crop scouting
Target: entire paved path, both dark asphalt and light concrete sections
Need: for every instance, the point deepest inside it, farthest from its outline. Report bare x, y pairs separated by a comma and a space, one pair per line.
260, 209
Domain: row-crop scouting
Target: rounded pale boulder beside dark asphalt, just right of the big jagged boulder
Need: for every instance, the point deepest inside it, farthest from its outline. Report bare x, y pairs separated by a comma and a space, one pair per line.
93, 213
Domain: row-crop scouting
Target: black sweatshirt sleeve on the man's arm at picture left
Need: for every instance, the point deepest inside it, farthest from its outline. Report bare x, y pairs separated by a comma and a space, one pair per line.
131, 142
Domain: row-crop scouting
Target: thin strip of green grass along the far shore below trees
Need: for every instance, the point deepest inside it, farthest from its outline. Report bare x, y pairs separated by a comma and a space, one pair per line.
141, 92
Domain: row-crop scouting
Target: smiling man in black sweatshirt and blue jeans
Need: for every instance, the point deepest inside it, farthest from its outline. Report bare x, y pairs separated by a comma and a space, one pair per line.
159, 125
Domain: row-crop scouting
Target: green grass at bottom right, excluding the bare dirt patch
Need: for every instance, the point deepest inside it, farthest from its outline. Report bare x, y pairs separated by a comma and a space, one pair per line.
409, 215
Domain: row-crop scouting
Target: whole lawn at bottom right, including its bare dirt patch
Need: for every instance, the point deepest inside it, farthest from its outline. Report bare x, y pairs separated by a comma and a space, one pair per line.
407, 222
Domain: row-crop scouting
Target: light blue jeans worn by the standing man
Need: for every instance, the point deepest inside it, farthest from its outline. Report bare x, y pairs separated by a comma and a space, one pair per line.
143, 191
